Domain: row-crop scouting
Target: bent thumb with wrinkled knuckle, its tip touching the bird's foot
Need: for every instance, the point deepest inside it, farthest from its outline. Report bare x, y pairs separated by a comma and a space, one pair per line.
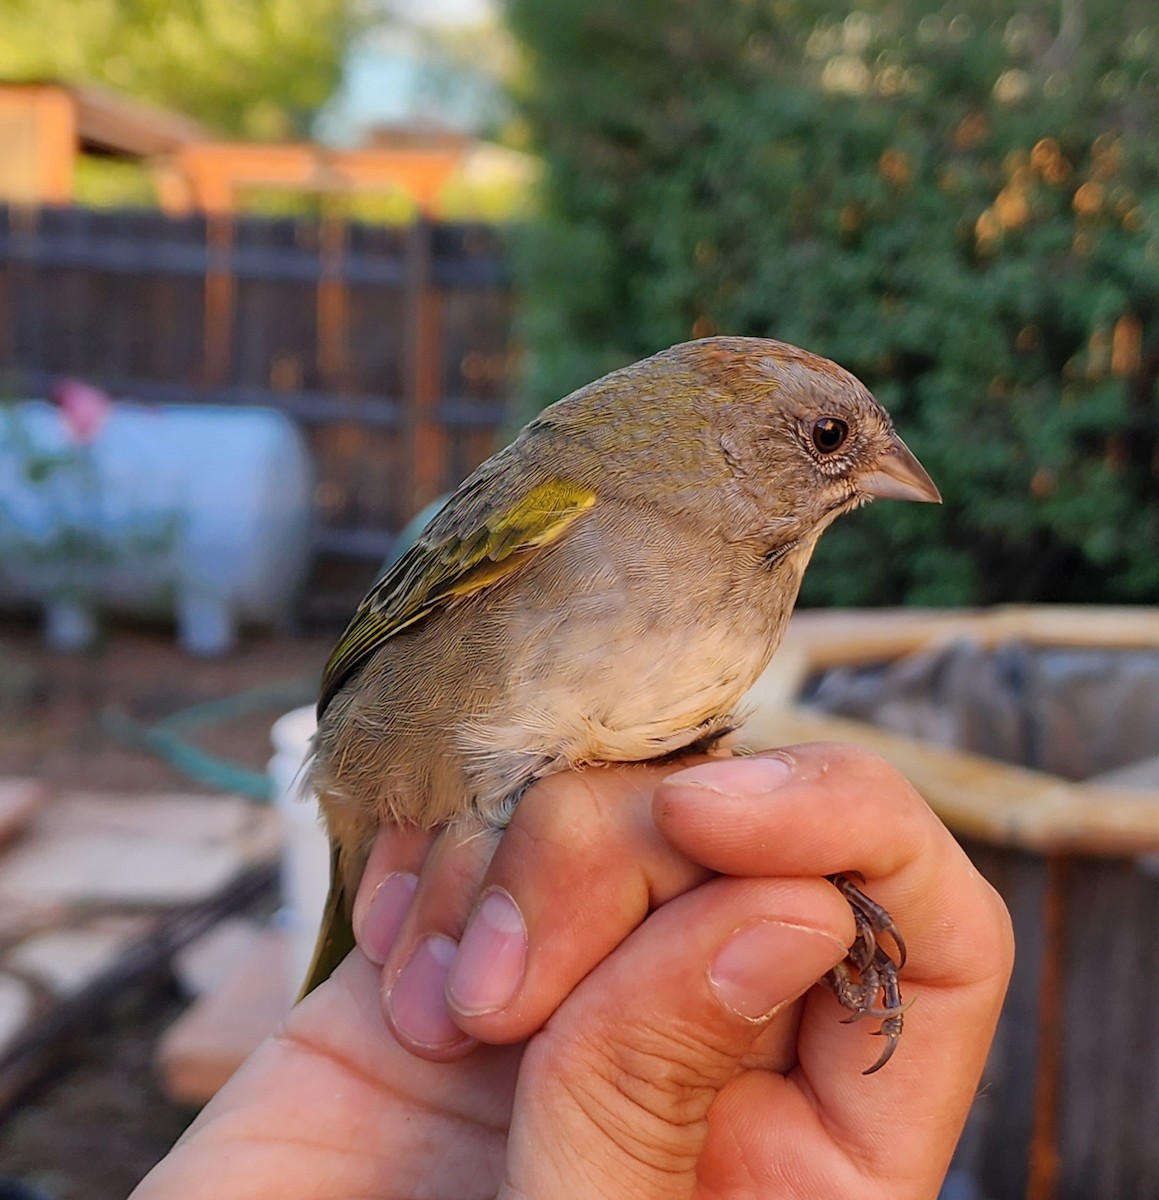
615, 1091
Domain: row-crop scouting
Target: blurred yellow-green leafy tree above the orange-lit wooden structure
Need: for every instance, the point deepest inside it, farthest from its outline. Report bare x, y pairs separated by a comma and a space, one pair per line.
259, 69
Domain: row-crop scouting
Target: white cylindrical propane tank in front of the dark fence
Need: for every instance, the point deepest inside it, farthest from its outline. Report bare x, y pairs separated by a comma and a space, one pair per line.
201, 513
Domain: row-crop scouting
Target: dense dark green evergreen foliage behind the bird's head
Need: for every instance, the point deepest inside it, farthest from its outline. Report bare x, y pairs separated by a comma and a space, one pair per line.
962, 206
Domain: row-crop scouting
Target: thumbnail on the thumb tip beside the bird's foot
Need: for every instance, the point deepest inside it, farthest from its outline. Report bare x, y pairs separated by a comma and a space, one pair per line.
765, 965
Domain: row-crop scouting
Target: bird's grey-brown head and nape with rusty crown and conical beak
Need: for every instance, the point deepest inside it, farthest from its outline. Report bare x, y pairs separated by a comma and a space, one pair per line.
762, 441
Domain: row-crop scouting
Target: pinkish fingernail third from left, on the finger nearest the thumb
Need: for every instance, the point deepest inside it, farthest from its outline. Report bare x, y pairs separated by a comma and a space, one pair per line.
489, 969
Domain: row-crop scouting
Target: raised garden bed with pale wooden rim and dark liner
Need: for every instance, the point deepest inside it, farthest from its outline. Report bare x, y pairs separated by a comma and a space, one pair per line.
1071, 1101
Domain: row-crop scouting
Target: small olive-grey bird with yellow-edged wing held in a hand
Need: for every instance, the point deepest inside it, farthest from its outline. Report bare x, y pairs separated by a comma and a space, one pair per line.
604, 590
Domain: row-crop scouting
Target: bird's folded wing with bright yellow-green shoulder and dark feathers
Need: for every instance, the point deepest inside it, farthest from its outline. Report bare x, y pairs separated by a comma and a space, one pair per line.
477, 539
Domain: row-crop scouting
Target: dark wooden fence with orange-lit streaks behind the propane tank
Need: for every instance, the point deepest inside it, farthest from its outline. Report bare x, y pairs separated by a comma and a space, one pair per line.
391, 346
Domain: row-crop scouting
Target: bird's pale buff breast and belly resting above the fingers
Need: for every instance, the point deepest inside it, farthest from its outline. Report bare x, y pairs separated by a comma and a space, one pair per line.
626, 651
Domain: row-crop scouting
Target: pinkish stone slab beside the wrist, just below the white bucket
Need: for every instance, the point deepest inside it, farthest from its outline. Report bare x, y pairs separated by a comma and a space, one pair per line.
211, 1041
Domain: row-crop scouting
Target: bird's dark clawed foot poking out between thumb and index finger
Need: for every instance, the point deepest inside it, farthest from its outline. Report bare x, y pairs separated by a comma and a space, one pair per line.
869, 973
